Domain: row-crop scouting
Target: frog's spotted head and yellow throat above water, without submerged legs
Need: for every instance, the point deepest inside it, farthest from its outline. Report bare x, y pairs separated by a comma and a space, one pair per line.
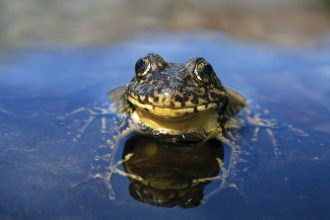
177, 101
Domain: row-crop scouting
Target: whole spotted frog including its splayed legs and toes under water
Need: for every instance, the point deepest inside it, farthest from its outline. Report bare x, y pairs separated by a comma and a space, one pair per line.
176, 103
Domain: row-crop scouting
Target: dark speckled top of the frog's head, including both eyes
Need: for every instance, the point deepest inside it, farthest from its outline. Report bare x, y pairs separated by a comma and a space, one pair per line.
173, 85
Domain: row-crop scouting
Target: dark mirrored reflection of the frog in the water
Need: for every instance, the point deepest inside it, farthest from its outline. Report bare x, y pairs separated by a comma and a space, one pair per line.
169, 174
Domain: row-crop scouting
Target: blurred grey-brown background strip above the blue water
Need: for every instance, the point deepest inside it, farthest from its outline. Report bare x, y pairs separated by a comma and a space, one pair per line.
95, 22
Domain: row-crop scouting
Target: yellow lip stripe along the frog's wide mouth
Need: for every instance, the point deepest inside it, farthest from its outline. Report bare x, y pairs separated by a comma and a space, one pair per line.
171, 112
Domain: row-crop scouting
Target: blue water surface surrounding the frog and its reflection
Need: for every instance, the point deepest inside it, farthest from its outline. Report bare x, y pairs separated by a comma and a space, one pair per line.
40, 164
